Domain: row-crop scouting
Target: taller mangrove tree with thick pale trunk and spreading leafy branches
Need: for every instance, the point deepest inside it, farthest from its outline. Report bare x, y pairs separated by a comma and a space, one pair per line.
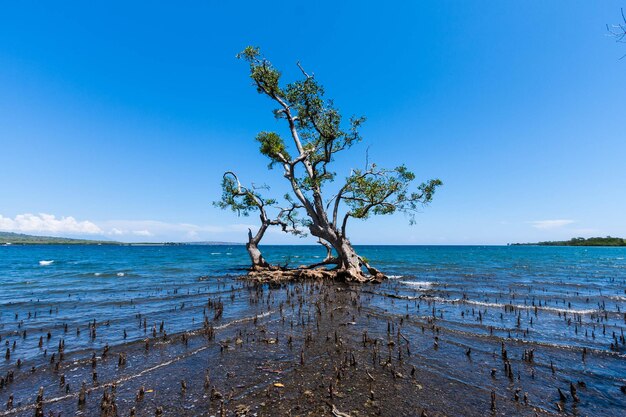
317, 134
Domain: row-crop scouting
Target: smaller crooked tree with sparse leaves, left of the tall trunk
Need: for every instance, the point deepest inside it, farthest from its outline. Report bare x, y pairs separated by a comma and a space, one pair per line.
244, 200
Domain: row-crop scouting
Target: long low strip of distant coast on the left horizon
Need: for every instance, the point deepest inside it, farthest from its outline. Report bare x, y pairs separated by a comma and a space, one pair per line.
9, 238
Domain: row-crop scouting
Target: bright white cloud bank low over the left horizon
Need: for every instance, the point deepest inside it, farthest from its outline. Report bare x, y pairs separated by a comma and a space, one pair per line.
47, 223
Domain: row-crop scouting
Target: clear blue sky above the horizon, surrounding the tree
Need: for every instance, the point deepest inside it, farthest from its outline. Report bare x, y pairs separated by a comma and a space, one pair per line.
117, 120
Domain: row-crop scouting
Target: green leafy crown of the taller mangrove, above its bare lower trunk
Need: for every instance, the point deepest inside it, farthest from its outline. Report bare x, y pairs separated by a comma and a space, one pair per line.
319, 131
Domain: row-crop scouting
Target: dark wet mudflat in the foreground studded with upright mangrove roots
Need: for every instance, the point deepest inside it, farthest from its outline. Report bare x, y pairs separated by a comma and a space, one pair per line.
308, 348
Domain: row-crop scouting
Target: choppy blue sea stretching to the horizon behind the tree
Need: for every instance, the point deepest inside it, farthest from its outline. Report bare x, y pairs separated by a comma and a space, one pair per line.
83, 283
